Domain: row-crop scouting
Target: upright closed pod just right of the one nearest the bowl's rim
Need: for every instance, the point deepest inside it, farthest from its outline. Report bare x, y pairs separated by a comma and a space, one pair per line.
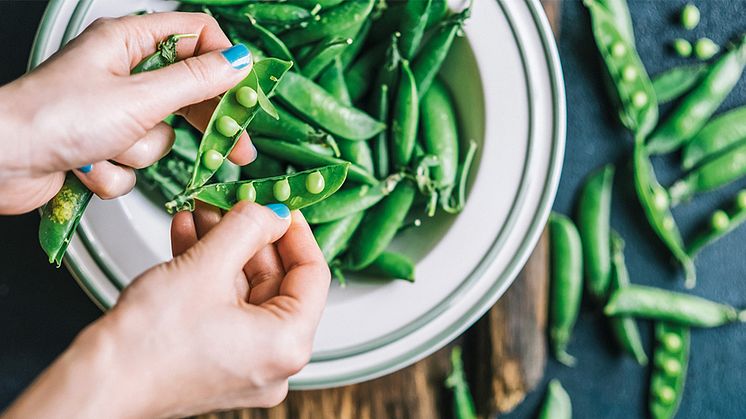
594, 212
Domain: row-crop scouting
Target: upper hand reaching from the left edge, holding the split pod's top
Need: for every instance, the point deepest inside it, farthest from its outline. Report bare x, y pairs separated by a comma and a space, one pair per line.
83, 107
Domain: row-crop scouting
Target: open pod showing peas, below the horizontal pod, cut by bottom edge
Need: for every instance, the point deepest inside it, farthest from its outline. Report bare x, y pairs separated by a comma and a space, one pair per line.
669, 373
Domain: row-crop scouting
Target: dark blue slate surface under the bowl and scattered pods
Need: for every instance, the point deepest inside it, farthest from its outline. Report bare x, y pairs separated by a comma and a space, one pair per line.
42, 309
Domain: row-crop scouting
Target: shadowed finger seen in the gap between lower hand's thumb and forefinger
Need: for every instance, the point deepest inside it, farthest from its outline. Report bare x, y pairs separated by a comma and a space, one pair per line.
265, 273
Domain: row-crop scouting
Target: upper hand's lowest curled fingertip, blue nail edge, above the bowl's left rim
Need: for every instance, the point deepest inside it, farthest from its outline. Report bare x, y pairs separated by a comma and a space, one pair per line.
106, 179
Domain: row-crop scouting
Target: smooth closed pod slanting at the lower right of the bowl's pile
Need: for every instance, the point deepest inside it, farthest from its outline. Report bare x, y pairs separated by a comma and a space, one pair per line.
380, 226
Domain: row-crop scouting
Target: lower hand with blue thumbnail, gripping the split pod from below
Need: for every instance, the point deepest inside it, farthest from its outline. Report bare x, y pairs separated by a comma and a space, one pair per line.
221, 326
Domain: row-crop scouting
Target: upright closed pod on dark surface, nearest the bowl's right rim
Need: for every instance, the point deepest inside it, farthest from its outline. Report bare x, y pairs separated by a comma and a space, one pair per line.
566, 284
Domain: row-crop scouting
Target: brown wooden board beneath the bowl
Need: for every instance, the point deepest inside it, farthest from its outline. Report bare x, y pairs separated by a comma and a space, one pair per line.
504, 353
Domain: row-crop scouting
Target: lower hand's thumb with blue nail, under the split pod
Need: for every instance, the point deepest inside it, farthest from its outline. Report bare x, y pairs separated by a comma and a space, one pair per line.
243, 231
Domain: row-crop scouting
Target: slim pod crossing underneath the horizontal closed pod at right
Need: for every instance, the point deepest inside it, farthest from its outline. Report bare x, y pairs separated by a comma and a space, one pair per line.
624, 328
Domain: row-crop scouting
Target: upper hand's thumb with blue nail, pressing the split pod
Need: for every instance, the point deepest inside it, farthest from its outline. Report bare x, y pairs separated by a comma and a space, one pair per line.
192, 80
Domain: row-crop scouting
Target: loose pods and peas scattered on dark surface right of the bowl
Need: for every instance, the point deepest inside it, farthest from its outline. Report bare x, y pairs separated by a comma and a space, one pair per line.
590, 254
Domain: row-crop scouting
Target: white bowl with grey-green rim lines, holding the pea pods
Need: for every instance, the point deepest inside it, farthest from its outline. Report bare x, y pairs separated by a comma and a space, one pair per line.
507, 82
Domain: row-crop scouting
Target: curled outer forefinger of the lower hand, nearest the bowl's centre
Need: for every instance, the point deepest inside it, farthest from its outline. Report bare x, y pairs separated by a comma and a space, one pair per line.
307, 275
